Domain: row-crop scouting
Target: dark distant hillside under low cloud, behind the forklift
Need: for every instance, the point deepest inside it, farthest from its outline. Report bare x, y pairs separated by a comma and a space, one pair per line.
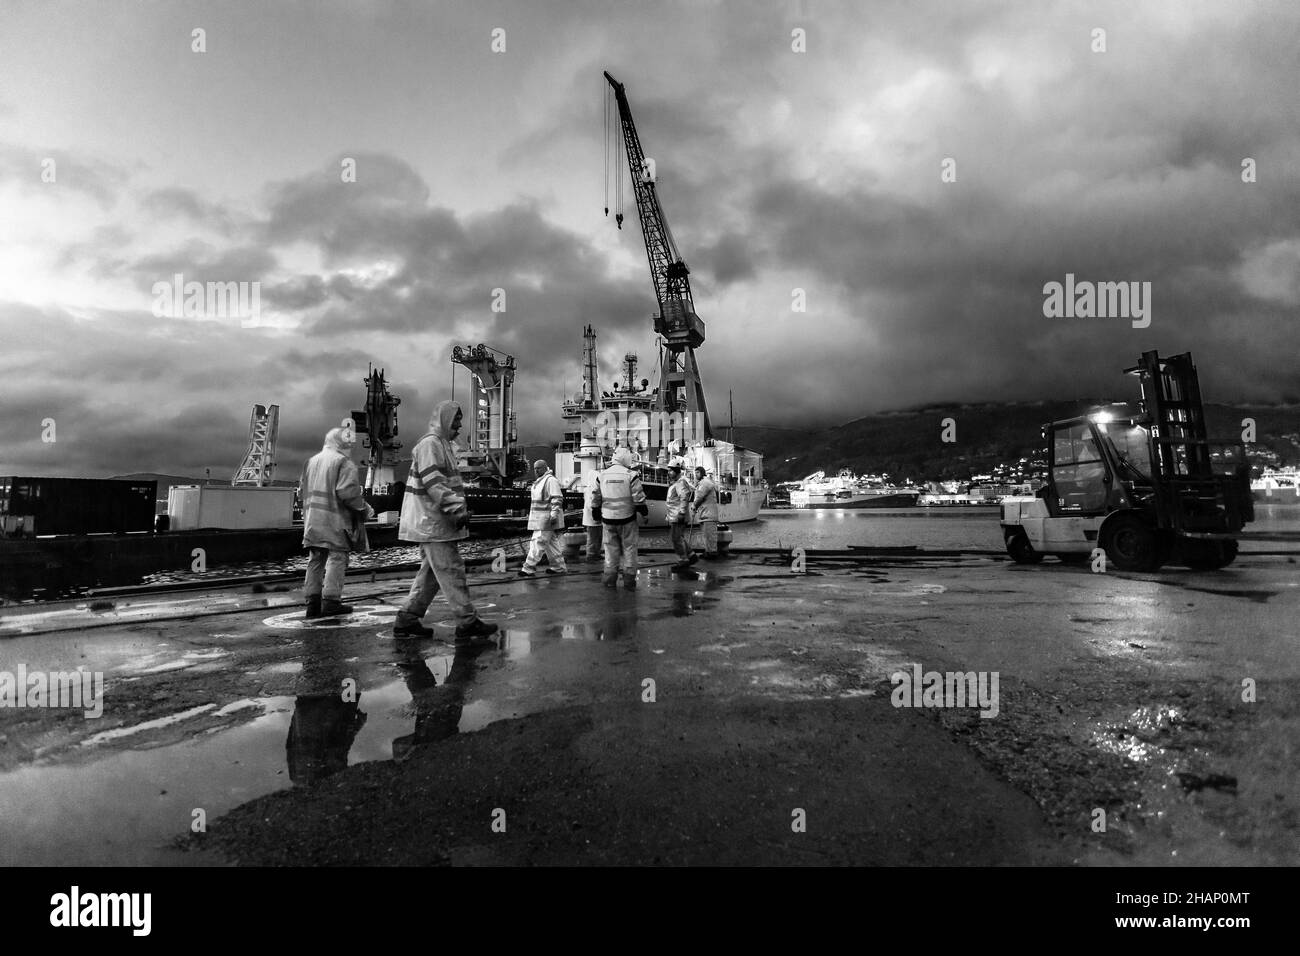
907, 444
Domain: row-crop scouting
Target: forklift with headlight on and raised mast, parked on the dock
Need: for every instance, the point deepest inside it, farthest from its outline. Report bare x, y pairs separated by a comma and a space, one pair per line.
1143, 485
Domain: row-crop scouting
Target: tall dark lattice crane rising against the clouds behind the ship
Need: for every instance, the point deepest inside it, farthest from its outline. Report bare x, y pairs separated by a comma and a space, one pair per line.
681, 388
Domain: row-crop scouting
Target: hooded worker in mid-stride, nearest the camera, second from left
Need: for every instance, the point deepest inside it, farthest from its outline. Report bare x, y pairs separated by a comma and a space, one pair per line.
436, 517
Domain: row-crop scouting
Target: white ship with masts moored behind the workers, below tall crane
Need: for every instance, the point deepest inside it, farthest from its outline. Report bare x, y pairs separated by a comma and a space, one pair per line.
657, 427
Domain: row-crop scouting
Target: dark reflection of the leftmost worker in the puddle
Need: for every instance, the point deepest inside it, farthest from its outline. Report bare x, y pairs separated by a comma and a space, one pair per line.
327, 715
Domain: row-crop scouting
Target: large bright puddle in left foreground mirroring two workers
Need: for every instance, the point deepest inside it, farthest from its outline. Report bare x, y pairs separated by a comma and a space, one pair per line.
128, 807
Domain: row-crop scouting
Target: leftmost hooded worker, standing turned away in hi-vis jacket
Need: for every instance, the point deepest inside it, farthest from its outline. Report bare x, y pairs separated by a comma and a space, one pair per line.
335, 514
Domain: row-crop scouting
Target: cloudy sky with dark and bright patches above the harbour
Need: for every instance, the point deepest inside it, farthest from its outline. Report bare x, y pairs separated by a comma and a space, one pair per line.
779, 170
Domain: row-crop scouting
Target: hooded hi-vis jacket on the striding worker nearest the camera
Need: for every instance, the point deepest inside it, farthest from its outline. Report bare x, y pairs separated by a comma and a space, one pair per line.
435, 500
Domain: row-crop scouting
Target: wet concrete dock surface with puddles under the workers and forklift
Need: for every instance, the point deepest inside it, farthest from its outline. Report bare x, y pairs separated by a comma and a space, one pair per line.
736, 713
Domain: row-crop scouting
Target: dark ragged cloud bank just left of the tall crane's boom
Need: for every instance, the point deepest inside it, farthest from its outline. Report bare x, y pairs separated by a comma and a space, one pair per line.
444, 270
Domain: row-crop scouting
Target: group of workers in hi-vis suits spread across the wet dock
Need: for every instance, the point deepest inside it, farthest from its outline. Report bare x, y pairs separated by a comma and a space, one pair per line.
435, 516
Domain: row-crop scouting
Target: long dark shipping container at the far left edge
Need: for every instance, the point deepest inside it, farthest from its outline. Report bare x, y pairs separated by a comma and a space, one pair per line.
77, 507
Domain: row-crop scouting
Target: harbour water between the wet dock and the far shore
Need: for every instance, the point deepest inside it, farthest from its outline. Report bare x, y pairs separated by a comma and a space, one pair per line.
934, 529
